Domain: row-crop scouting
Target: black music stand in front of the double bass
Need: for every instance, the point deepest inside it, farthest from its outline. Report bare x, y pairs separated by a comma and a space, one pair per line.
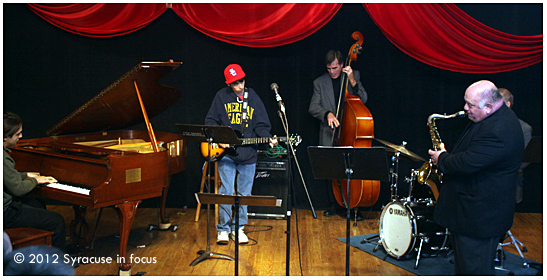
348, 163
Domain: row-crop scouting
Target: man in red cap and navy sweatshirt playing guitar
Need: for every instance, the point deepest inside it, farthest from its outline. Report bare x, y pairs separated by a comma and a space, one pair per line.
228, 109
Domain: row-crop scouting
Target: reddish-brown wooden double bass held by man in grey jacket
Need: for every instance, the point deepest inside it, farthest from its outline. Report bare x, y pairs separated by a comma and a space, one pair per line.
356, 129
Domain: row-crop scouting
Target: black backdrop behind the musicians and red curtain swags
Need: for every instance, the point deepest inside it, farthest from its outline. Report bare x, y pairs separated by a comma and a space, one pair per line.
49, 72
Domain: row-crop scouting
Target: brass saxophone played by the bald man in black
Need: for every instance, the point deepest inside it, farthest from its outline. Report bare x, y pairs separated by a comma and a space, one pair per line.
427, 170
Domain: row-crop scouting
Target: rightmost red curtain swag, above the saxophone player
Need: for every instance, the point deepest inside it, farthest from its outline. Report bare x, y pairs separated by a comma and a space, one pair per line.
442, 35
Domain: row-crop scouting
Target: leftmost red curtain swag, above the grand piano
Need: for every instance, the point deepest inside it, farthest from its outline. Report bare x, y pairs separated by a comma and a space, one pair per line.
99, 20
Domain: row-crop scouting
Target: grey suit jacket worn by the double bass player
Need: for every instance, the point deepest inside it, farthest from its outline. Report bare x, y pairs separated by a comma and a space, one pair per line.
323, 101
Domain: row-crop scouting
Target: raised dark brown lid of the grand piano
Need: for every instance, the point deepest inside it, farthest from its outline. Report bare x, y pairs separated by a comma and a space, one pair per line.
117, 106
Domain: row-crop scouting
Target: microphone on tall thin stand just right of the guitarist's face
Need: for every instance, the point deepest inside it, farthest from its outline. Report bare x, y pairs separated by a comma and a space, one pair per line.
285, 123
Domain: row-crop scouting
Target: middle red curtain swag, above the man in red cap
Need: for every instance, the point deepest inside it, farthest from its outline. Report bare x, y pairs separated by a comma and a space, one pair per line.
257, 25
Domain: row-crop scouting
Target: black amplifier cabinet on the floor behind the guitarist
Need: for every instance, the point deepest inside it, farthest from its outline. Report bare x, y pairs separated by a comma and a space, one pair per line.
271, 178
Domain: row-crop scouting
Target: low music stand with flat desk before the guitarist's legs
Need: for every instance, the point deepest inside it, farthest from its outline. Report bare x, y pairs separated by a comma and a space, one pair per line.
237, 200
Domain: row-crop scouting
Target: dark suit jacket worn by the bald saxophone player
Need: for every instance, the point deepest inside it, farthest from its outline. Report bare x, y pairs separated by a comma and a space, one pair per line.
477, 196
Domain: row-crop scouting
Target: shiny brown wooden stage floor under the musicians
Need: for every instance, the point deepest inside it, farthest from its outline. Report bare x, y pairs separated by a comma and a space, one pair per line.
314, 250
